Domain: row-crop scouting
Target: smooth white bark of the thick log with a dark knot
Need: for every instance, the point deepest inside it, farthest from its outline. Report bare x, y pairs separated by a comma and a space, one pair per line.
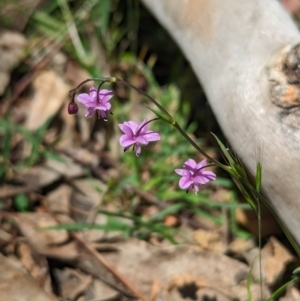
232, 45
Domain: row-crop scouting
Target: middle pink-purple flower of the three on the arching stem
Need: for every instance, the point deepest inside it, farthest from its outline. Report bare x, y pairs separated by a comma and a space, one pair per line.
136, 134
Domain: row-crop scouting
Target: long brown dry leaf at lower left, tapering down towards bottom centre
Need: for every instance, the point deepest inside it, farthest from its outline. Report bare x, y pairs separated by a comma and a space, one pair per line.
54, 245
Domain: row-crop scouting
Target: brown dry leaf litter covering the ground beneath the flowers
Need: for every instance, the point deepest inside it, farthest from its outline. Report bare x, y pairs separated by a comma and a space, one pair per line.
69, 182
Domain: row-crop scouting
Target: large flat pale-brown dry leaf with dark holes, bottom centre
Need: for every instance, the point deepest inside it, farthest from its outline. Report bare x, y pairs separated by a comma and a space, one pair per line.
143, 264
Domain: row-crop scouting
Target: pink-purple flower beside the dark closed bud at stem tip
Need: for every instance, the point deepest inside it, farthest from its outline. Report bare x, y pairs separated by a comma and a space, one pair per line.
92, 104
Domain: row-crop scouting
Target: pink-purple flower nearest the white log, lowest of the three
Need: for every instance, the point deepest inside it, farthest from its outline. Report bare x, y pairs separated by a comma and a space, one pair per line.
194, 174
